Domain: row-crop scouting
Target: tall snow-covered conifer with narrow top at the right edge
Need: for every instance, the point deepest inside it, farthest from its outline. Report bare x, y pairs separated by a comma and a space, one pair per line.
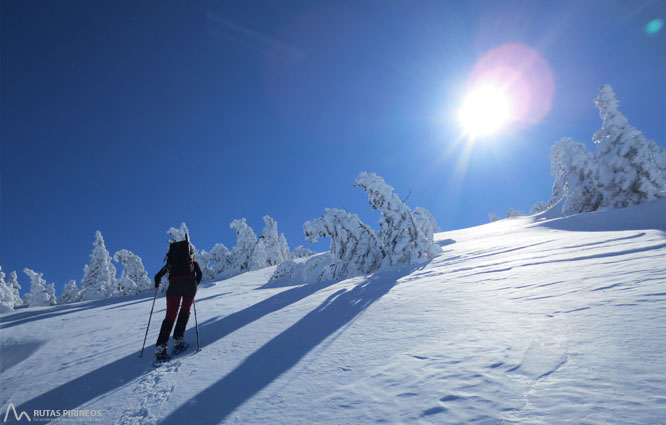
632, 168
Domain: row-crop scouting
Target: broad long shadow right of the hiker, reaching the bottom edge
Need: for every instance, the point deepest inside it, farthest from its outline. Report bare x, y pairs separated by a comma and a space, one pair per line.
280, 354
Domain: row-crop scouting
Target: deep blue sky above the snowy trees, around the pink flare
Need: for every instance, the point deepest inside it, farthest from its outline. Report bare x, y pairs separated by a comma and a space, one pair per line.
132, 117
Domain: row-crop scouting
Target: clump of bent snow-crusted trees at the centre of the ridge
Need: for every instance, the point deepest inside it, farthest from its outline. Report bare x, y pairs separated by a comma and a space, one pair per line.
405, 238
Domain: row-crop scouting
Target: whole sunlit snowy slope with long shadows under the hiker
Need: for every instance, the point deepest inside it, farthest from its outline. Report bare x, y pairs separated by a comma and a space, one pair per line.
525, 320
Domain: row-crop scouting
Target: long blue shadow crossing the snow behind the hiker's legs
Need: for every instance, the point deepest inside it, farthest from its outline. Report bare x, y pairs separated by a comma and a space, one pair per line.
113, 375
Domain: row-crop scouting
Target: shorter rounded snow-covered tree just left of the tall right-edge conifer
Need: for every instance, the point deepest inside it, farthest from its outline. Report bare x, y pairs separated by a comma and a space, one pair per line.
576, 177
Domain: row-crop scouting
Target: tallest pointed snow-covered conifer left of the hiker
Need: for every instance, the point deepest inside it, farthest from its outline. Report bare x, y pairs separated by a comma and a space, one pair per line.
99, 277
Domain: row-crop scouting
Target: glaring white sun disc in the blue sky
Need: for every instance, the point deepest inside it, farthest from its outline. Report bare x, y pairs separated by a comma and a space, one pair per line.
485, 110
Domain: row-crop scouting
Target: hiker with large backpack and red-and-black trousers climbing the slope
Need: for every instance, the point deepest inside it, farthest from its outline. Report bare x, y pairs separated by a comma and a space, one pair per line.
184, 276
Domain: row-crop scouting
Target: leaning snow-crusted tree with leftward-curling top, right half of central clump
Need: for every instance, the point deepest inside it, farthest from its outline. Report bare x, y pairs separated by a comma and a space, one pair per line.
402, 240
